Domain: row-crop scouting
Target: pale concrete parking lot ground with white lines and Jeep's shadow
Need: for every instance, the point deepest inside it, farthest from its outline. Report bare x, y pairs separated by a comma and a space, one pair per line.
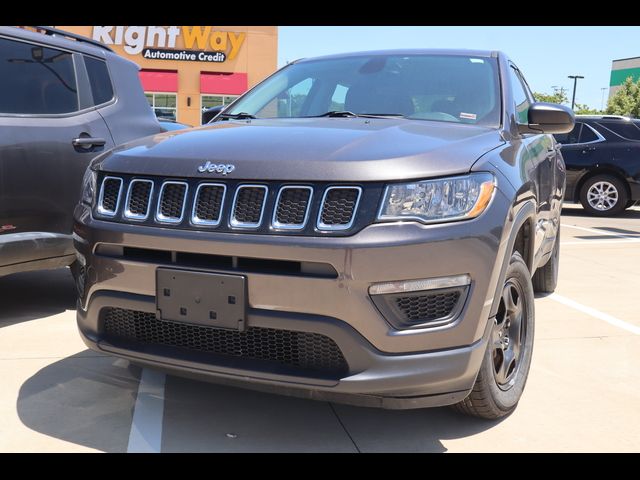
583, 391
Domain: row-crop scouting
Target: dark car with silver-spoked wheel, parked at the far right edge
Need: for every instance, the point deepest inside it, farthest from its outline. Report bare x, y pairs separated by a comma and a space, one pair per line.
602, 157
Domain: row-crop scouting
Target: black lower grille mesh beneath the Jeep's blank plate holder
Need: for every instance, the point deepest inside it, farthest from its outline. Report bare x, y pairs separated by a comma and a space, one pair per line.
300, 350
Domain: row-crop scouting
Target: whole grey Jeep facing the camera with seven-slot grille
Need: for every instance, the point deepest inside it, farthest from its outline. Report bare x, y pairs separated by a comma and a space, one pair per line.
361, 228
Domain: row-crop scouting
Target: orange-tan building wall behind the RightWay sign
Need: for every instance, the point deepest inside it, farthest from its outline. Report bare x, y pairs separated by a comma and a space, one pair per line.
256, 55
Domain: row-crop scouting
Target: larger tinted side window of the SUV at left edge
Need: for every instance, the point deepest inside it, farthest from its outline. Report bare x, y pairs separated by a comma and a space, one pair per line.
36, 79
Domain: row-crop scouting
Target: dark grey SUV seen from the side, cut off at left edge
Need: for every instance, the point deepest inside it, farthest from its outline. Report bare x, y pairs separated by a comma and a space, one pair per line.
64, 99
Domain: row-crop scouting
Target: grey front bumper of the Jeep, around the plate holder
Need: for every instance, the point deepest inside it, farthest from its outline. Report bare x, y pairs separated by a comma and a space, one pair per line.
386, 367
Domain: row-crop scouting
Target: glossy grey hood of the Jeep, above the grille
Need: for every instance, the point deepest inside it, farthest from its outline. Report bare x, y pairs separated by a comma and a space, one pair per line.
313, 149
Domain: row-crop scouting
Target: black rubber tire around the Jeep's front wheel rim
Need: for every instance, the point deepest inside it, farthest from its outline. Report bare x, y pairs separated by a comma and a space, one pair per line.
490, 399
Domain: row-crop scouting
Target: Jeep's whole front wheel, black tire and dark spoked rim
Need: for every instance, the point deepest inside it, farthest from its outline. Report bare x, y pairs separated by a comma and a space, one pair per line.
505, 366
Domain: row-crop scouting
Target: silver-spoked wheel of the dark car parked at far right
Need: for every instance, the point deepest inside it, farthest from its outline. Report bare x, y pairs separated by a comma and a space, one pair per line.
604, 195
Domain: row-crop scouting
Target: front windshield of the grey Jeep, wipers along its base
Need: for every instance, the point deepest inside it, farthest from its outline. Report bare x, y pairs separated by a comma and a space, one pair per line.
449, 88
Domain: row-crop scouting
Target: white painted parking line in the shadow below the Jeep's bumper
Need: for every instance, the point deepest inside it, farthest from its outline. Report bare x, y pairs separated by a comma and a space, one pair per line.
146, 425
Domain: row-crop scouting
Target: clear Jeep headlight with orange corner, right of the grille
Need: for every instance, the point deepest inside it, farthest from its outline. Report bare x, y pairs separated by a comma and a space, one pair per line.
440, 200
